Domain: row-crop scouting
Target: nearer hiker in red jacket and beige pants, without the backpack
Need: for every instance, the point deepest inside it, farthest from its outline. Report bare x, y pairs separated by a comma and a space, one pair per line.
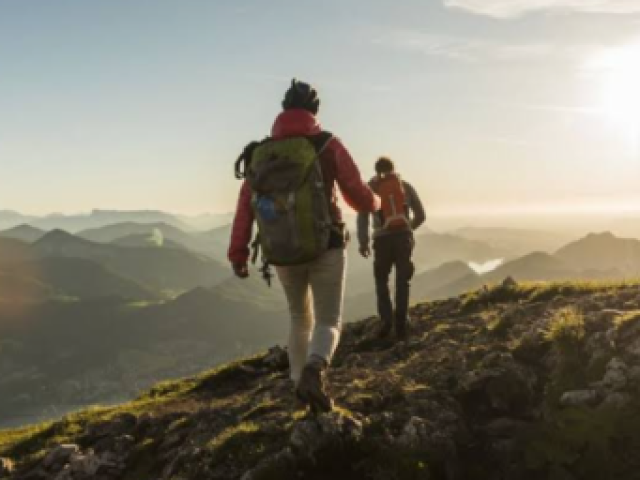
315, 289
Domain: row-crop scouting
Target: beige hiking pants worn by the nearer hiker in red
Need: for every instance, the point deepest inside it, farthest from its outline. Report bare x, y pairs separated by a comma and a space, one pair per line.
315, 293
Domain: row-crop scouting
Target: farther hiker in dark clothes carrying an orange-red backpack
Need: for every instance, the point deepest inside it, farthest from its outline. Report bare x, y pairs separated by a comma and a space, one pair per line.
401, 213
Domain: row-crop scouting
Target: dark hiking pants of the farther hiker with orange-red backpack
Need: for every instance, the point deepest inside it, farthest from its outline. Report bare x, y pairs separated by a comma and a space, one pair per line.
393, 250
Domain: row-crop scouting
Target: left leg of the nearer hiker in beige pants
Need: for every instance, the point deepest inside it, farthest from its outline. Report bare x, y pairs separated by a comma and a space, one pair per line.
295, 281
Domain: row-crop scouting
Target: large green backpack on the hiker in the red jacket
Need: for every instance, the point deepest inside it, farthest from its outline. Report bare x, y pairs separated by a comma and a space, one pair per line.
289, 199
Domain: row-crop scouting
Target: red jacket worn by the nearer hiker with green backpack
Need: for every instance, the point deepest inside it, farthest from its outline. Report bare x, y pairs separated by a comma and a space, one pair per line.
337, 167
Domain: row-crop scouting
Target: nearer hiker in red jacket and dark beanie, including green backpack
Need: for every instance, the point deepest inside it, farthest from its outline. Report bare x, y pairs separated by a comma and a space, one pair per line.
314, 288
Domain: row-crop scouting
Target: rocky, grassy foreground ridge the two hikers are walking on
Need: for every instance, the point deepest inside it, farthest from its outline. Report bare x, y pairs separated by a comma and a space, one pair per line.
519, 381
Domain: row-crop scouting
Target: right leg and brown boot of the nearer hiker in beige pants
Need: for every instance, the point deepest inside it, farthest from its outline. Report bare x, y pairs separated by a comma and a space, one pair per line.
327, 276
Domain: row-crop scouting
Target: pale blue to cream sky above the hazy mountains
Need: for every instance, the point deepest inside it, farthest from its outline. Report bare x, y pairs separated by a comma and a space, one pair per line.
485, 105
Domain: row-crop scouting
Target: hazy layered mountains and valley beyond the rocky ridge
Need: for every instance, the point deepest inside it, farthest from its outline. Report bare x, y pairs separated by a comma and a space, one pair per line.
76, 308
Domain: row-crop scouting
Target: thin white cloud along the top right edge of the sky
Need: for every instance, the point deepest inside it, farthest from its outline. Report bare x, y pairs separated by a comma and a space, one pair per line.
504, 9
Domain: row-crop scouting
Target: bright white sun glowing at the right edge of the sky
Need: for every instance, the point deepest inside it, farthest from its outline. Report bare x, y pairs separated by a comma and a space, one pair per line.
621, 89
